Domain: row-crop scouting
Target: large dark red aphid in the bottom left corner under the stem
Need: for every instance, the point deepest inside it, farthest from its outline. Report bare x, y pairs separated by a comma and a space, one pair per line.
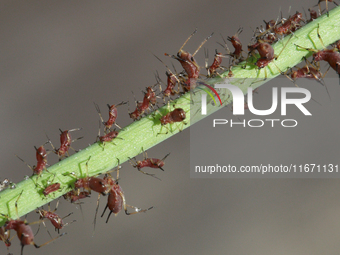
23, 229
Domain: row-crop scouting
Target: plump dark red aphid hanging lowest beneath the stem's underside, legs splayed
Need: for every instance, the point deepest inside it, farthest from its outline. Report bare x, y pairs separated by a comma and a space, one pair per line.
116, 200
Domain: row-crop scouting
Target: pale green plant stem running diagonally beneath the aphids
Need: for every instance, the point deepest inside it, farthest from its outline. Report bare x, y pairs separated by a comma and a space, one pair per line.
148, 132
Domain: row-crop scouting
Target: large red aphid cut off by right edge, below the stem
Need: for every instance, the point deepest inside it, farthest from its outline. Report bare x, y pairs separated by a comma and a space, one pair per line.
332, 56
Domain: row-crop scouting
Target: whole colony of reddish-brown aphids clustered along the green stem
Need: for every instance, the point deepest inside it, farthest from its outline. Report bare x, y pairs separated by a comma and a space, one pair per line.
260, 54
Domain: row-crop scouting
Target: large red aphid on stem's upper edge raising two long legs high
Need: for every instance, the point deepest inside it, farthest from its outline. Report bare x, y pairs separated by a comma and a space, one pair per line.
189, 64
